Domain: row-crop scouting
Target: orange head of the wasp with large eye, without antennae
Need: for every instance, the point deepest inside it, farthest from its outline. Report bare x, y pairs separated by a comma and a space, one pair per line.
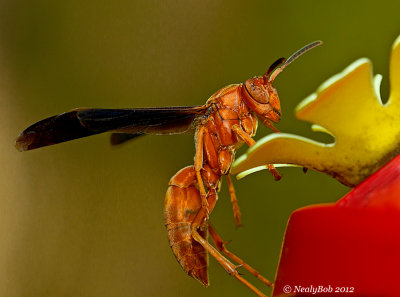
263, 99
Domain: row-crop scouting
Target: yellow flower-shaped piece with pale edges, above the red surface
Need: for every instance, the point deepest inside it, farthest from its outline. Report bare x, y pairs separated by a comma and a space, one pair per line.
347, 106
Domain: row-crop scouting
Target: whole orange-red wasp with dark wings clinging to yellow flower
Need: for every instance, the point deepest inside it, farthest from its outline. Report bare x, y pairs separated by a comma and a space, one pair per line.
226, 121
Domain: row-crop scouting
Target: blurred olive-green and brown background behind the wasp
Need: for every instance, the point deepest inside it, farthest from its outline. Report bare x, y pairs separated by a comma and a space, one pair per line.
85, 219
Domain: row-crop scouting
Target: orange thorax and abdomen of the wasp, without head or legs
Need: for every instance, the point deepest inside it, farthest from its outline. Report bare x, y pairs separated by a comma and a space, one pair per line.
183, 200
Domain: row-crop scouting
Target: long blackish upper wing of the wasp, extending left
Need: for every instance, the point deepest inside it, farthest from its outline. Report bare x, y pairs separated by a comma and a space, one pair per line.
84, 122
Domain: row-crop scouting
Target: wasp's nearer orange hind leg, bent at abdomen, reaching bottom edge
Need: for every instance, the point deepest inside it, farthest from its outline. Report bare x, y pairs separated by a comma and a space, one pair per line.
225, 263
